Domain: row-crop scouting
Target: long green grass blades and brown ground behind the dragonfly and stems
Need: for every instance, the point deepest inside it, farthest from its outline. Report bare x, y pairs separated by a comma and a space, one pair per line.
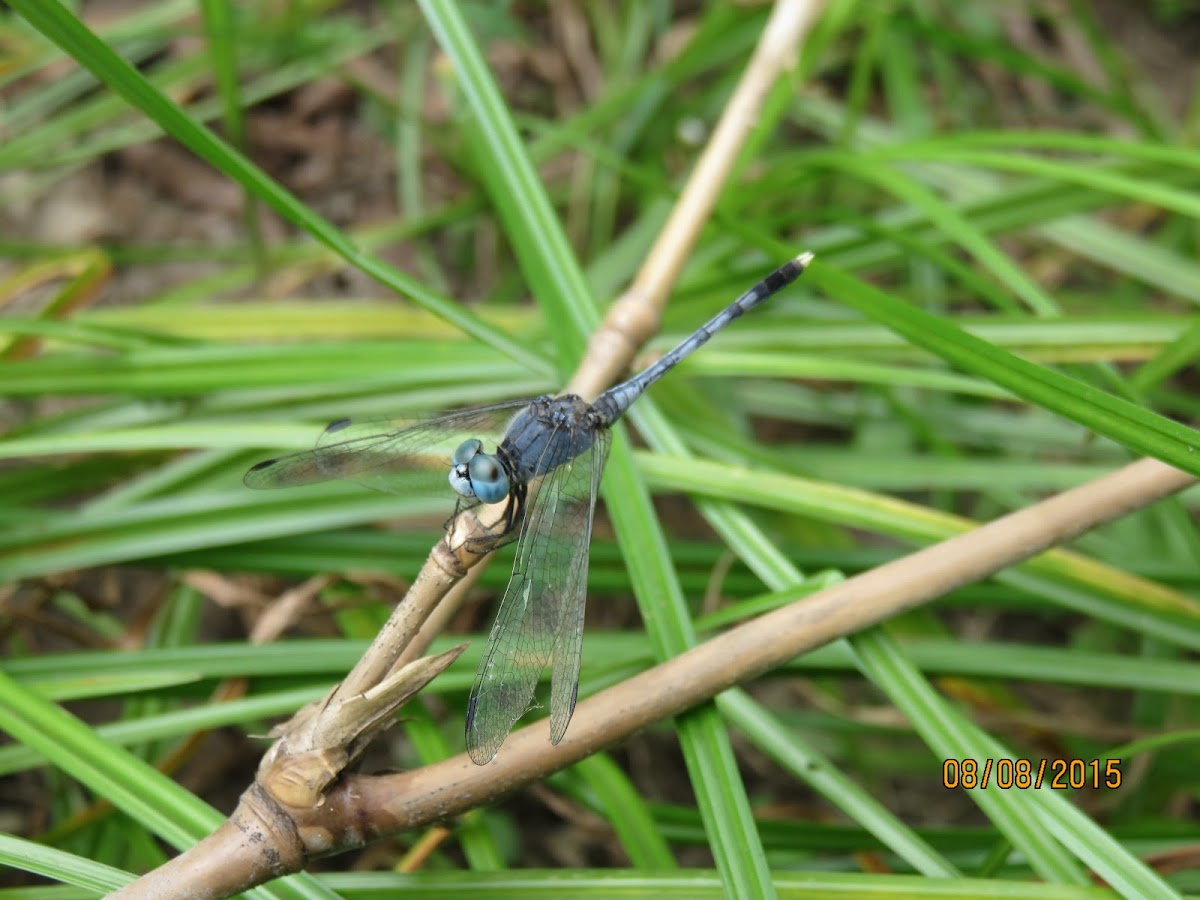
1015, 181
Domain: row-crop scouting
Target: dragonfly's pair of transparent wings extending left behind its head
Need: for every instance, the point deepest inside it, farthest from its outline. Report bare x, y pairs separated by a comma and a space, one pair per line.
398, 457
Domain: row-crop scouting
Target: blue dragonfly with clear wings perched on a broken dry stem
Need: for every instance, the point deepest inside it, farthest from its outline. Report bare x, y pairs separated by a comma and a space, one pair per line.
547, 467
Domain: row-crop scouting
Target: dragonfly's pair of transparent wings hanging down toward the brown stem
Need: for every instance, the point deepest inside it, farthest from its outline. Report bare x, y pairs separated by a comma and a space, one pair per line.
542, 614
